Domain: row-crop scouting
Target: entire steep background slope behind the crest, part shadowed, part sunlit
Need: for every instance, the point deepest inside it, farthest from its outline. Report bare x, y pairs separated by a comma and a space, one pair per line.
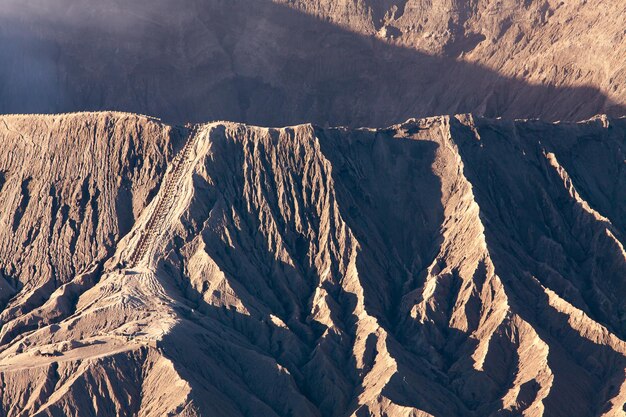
282, 62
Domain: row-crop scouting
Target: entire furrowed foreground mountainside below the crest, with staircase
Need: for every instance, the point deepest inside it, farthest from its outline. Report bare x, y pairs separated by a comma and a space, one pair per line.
453, 266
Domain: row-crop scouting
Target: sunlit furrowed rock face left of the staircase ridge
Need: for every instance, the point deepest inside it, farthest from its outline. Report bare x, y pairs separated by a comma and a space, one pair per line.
70, 188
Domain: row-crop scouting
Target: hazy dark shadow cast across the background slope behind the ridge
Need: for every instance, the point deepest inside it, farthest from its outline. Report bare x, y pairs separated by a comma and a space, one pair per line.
251, 61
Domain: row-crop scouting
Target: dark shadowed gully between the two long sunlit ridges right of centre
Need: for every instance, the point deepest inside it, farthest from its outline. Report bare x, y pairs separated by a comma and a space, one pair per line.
390, 199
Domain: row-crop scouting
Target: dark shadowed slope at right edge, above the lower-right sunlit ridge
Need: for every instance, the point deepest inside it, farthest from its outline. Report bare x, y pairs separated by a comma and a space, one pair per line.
532, 210
